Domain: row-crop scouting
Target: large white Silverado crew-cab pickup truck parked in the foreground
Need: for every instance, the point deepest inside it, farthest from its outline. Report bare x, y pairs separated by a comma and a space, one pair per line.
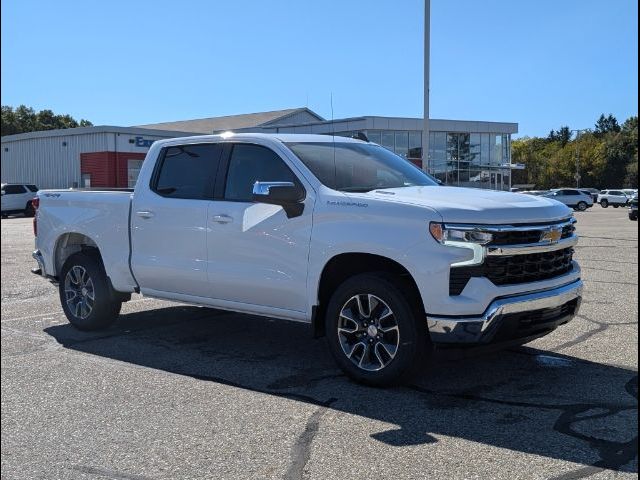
336, 232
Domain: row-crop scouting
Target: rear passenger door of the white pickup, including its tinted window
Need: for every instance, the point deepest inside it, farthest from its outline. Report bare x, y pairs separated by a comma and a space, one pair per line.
169, 221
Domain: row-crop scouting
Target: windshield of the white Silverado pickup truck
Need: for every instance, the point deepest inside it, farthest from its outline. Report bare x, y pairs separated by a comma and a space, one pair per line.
359, 167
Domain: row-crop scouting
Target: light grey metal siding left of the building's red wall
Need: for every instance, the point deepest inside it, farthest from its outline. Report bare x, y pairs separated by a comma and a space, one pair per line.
46, 162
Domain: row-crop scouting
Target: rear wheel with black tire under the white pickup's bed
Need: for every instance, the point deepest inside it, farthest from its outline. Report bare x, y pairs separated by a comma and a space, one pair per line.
87, 314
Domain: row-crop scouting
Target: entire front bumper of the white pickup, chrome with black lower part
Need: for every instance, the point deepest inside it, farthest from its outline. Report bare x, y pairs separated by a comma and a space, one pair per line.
510, 318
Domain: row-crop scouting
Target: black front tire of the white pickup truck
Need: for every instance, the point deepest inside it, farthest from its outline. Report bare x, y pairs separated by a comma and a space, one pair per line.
410, 352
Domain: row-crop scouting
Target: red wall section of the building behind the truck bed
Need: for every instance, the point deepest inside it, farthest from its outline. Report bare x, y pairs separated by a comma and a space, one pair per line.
108, 169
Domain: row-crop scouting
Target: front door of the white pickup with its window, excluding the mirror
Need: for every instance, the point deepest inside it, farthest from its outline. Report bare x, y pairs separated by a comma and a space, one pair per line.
256, 254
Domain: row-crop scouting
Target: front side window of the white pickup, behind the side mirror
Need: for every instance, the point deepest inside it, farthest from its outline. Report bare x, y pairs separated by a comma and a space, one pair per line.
252, 163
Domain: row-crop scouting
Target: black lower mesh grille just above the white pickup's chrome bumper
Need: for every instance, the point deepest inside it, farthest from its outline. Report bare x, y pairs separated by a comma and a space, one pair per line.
514, 269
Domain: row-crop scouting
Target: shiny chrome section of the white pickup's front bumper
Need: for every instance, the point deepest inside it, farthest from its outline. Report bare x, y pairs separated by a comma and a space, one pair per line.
481, 329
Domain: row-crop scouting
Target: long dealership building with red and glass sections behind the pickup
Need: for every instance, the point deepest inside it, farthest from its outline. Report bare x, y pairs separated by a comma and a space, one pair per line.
461, 152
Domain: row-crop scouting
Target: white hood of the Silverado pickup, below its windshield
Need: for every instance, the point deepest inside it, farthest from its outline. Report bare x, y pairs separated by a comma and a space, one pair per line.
472, 205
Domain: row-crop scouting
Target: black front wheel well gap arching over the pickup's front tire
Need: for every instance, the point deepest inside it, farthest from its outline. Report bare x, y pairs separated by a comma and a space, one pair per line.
345, 265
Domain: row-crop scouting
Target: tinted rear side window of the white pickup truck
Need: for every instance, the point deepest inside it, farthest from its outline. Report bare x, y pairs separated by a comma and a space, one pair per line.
188, 171
